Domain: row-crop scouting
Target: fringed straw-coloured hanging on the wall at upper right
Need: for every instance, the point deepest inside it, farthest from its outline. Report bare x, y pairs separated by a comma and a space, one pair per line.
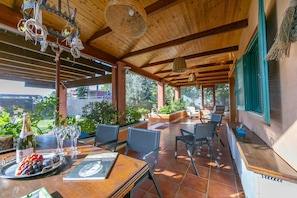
286, 35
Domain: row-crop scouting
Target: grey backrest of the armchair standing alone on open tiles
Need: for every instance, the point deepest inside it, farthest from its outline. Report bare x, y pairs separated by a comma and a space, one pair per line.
204, 130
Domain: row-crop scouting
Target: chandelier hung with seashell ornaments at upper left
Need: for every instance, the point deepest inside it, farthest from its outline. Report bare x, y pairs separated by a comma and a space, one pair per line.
31, 25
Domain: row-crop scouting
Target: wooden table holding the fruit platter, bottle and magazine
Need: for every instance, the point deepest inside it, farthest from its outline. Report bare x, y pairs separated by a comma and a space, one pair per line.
125, 173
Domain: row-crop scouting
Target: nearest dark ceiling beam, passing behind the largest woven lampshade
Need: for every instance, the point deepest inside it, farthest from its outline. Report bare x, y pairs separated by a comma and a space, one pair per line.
151, 9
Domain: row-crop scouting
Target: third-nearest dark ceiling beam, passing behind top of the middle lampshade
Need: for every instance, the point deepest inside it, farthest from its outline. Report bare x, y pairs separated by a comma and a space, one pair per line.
201, 54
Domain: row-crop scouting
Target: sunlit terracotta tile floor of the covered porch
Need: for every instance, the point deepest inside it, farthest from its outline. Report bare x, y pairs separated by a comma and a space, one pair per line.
176, 177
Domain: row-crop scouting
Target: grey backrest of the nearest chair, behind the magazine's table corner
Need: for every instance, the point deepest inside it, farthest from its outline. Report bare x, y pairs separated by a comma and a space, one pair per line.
142, 140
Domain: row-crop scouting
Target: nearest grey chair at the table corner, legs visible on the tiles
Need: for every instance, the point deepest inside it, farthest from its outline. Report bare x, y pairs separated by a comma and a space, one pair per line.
146, 143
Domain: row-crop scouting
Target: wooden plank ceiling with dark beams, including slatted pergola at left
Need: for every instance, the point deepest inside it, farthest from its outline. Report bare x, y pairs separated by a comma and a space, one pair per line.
204, 32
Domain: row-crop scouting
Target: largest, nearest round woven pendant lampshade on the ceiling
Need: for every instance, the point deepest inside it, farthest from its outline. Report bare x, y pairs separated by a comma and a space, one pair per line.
126, 17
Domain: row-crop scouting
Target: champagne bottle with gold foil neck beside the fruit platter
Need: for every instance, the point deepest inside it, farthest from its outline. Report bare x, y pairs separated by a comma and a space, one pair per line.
26, 142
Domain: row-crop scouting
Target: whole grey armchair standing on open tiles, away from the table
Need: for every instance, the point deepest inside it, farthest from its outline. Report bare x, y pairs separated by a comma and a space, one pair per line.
203, 134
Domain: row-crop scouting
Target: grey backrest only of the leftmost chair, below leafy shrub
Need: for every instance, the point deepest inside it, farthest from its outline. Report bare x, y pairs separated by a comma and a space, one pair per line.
106, 133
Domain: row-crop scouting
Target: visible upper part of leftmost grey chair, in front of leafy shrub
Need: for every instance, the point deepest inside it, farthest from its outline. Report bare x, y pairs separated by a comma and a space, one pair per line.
106, 135
